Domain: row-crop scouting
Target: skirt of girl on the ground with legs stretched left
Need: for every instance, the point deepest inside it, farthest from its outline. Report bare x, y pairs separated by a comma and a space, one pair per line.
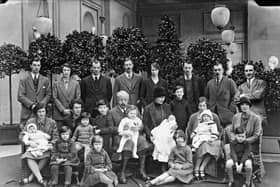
185, 176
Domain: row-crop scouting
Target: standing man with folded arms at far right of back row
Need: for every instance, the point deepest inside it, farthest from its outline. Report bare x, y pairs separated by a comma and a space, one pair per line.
254, 90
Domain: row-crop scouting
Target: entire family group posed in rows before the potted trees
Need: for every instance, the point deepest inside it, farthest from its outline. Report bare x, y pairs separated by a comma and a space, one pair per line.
141, 122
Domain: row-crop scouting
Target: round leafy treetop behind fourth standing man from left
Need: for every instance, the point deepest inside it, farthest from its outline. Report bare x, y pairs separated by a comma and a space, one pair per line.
127, 42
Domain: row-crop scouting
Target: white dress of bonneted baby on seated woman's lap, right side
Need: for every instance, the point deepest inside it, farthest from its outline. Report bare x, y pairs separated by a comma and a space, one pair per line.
205, 131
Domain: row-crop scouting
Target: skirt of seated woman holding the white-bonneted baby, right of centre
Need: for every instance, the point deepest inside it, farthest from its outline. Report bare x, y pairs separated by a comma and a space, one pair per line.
212, 148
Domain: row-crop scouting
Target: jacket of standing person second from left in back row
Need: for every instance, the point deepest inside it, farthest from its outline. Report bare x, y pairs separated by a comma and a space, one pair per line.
63, 97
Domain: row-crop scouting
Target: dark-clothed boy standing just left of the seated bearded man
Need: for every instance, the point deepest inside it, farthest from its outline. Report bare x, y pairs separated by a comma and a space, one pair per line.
101, 125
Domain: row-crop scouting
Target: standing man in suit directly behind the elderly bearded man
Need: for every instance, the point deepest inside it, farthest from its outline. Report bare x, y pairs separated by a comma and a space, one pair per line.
129, 82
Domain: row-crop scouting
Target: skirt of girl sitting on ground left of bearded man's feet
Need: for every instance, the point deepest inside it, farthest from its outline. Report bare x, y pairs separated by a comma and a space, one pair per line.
92, 179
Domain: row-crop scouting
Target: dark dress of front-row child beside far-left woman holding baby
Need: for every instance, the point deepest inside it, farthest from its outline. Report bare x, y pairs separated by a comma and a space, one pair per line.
66, 150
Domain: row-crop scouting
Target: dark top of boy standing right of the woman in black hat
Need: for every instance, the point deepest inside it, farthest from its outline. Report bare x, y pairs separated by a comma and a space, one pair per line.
182, 111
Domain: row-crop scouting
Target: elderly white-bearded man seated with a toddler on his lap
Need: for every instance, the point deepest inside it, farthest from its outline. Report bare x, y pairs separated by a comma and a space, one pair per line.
114, 117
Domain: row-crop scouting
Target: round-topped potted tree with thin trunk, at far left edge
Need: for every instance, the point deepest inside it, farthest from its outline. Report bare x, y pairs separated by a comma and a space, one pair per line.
12, 60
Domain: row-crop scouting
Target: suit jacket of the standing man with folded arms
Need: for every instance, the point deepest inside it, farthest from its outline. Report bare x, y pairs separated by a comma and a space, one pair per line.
255, 93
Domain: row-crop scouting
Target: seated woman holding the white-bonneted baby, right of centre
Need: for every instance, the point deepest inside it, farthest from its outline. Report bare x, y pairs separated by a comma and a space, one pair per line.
206, 150
